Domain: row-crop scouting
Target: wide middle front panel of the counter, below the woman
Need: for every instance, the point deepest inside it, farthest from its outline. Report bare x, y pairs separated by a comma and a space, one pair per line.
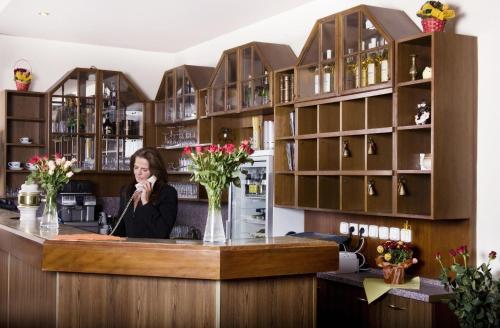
87, 300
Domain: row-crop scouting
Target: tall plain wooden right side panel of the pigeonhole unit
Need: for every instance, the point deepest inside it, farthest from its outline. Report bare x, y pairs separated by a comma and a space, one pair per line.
454, 191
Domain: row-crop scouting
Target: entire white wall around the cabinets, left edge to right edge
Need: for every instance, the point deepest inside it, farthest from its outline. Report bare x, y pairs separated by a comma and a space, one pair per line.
50, 60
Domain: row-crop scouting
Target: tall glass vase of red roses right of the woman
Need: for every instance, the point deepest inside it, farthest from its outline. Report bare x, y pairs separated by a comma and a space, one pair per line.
214, 167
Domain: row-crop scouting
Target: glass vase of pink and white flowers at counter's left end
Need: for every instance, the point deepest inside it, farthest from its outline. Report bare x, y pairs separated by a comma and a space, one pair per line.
51, 175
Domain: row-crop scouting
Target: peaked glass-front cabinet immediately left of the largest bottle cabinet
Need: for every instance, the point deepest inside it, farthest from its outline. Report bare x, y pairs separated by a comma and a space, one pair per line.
243, 79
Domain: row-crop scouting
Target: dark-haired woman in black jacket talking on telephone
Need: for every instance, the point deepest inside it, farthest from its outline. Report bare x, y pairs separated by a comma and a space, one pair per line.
152, 211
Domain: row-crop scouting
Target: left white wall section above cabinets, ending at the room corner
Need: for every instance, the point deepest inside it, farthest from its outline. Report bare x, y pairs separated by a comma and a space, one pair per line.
50, 60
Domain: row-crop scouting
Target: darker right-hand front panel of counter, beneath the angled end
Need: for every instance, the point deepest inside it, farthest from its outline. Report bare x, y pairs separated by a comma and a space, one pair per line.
278, 302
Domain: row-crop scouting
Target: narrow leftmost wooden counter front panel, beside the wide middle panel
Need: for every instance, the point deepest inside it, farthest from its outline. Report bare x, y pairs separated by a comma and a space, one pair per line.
32, 296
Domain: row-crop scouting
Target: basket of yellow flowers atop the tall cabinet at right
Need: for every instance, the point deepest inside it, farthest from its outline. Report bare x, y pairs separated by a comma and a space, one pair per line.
434, 15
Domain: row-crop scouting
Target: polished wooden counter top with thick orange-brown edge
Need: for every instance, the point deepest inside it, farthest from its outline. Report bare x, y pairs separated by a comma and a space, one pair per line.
178, 258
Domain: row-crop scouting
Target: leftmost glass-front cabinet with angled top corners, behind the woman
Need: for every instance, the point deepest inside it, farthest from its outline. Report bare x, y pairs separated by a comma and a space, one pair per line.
97, 117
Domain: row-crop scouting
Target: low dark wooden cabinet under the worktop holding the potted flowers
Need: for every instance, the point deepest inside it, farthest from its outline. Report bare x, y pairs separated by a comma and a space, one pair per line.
347, 304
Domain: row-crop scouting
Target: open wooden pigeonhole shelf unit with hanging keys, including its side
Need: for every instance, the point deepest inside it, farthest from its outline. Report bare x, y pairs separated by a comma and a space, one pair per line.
364, 153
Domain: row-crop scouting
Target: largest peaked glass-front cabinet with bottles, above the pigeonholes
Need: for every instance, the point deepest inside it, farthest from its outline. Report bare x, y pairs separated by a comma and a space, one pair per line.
350, 52
